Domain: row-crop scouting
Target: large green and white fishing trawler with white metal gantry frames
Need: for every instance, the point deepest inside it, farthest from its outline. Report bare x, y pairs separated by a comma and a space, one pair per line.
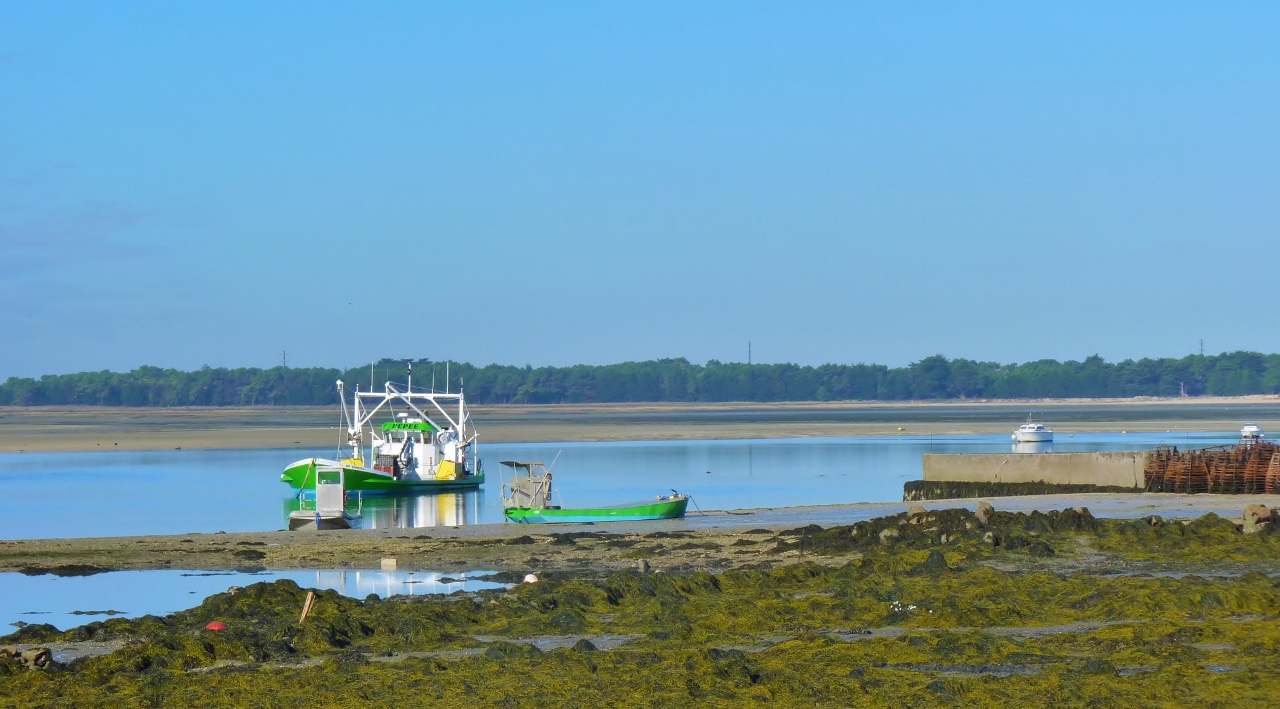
419, 442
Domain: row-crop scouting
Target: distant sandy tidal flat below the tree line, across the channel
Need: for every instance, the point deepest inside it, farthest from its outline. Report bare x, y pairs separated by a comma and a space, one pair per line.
33, 429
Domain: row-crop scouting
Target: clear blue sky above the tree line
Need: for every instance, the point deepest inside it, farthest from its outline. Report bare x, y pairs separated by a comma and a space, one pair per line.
550, 184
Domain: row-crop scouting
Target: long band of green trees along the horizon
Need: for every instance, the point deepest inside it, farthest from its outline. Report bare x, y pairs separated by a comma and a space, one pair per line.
666, 381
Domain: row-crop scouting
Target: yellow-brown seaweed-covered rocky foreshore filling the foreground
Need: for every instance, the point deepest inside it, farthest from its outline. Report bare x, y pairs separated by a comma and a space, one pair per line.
915, 609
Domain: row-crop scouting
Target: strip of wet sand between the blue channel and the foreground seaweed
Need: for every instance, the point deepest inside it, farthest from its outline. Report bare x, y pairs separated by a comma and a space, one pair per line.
523, 548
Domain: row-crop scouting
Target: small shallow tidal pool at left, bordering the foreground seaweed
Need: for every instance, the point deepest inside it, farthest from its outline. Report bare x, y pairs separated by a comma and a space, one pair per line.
129, 594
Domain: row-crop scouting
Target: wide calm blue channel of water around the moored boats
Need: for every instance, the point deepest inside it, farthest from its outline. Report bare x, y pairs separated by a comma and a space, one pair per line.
177, 492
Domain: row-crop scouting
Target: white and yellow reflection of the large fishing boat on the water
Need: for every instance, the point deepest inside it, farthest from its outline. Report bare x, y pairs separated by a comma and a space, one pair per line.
410, 513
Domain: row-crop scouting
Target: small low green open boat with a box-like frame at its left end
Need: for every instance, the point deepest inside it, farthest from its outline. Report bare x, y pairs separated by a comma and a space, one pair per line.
528, 500
